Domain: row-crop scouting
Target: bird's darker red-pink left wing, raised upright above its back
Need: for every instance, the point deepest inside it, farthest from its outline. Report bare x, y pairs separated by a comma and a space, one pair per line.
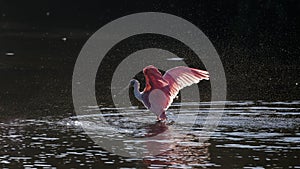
154, 79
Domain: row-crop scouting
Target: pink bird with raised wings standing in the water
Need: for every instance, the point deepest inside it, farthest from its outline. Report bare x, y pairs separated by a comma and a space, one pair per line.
160, 89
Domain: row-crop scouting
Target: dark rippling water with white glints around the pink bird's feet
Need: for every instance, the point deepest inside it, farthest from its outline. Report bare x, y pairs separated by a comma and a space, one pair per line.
250, 135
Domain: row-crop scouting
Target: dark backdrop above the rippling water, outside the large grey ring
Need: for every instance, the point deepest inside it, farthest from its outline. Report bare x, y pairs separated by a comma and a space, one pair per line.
258, 42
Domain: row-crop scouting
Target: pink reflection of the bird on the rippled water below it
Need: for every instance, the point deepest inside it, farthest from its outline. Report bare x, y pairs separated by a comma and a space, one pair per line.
181, 152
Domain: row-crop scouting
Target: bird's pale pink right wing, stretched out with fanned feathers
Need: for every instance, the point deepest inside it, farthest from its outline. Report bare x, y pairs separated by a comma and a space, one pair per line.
180, 77
